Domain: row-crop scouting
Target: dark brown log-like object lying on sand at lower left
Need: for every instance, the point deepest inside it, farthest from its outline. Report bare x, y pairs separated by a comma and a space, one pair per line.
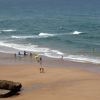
9, 88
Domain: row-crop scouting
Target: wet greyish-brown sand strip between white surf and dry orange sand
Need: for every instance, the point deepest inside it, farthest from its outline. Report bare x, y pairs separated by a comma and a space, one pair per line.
9, 59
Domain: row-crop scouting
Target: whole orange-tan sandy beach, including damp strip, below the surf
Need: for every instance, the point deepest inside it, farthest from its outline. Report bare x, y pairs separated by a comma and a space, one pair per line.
64, 82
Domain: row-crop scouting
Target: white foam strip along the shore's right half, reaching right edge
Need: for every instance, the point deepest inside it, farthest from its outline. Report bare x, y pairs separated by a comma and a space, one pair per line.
75, 58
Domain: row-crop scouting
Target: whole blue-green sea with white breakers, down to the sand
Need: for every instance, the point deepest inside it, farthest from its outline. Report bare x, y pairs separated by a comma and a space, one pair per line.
52, 28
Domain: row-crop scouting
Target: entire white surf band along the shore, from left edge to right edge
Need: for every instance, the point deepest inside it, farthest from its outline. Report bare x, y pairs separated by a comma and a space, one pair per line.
46, 52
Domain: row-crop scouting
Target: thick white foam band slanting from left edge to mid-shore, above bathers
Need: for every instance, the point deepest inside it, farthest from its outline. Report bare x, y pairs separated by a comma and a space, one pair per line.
31, 48
